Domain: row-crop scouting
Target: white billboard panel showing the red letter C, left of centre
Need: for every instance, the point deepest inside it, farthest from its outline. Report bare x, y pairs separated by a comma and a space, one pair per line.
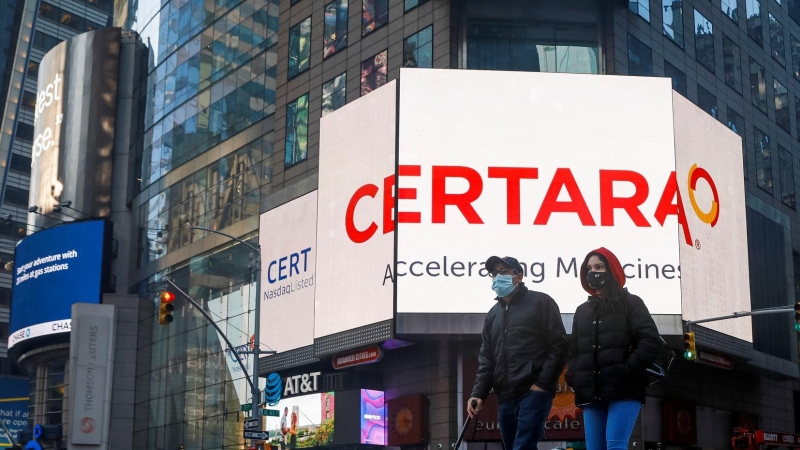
355, 236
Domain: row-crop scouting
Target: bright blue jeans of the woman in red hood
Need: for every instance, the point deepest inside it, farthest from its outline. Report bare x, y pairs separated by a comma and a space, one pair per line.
609, 424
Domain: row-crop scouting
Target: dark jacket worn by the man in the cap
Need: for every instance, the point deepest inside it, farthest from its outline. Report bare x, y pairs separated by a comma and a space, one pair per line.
524, 343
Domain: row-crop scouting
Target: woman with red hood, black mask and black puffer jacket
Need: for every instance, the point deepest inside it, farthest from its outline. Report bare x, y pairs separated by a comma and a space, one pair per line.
614, 339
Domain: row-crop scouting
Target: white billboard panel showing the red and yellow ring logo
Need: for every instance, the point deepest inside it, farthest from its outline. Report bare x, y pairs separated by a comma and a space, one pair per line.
713, 242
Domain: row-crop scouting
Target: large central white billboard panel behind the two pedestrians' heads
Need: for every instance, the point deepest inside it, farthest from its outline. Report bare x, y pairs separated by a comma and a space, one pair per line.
542, 167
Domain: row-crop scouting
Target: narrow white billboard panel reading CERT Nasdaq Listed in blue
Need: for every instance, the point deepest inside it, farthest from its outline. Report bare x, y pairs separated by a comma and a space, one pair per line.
288, 239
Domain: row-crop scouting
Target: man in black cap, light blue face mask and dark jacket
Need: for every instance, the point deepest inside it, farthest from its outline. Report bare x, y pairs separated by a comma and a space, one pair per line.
523, 351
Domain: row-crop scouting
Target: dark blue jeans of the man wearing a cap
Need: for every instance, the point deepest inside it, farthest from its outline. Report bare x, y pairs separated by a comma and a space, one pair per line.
522, 420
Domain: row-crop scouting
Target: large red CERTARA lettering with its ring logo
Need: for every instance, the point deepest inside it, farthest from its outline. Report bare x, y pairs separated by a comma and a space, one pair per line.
670, 202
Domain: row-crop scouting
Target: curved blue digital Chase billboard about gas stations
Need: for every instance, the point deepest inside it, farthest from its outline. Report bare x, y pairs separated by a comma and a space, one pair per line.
53, 269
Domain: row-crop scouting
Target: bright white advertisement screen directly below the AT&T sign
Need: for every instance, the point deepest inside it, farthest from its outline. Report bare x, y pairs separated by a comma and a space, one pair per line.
305, 421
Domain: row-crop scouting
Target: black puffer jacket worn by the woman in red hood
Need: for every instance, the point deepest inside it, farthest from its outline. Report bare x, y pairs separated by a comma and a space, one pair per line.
607, 358
